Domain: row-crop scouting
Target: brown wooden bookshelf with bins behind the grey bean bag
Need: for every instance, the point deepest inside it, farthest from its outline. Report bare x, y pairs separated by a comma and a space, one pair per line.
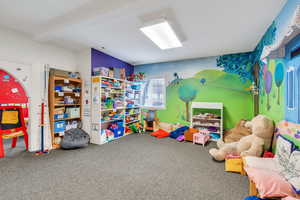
65, 106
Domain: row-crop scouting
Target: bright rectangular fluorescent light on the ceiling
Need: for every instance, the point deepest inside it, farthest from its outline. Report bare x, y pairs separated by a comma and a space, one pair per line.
162, 35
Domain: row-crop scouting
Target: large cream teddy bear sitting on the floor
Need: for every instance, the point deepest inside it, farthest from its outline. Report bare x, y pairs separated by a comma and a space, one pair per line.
262, 129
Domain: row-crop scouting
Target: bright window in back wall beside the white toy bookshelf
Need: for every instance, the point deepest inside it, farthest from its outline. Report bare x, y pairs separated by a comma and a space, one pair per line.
154, 94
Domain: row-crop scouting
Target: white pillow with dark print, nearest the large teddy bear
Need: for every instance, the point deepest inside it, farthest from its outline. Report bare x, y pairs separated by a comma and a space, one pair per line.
284, 148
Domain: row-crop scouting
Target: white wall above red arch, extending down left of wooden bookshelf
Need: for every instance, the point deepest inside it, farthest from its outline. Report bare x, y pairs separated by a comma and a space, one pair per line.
19, 49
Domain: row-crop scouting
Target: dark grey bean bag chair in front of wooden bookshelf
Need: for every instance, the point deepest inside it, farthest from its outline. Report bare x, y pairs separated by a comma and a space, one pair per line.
75, 138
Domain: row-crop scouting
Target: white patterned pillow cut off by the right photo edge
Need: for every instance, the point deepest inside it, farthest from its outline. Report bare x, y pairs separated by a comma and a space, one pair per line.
292, 173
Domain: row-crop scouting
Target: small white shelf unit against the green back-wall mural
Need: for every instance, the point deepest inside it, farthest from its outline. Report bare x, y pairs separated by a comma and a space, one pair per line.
202, 122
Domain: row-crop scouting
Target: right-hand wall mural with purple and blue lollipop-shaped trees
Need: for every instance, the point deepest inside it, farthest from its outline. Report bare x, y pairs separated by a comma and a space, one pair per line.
274, 59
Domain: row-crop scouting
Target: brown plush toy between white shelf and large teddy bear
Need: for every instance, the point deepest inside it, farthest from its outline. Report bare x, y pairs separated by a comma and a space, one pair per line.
236, 133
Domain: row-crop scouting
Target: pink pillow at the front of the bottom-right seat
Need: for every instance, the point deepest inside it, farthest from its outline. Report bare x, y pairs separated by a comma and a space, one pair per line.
269, 183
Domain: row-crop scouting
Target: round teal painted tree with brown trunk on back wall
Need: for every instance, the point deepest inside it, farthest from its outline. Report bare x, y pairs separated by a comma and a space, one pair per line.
187, 93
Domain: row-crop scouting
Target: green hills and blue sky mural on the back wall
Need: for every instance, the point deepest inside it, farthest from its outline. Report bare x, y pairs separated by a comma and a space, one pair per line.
201, 80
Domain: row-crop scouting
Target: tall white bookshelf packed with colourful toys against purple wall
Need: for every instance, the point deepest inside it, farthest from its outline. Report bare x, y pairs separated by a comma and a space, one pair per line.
112, 105
